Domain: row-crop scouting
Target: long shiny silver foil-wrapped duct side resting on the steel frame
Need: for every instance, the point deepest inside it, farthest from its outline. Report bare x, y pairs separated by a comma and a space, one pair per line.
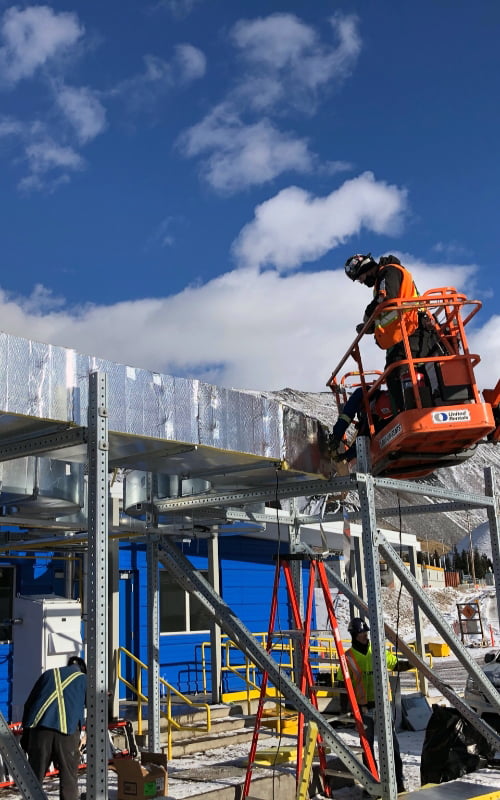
49, 382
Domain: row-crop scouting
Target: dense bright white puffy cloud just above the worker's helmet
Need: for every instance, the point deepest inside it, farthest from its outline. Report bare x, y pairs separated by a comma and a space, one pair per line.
294, 227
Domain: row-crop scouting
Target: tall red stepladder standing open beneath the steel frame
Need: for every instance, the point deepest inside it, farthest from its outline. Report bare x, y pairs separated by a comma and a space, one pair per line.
303, 628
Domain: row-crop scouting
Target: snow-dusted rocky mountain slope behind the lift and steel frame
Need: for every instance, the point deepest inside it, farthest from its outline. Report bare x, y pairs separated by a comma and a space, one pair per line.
448, 527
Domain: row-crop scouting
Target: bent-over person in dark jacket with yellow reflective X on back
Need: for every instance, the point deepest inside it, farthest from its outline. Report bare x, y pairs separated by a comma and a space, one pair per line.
52, 721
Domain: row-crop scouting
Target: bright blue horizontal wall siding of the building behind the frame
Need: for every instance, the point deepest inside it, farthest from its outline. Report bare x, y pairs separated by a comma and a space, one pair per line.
247, 576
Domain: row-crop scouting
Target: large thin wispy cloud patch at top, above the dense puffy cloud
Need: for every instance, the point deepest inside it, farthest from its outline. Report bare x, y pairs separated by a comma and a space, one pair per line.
286, 66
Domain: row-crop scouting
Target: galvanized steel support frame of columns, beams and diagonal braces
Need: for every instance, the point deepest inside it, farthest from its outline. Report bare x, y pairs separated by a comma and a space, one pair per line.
161, 549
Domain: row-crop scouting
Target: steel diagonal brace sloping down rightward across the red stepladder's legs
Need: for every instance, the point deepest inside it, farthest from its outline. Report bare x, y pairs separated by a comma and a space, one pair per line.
191, 580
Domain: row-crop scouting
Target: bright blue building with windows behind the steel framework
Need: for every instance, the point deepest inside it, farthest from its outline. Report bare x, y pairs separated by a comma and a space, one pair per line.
246, 569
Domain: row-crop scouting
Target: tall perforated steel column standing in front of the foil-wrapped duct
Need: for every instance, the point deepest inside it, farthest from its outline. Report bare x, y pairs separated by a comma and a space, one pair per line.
97, 590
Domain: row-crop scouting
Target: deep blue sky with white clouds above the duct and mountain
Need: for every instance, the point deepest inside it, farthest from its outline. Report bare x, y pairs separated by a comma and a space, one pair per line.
182, 180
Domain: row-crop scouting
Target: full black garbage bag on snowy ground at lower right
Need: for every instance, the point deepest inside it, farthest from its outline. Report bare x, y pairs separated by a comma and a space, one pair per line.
452, 747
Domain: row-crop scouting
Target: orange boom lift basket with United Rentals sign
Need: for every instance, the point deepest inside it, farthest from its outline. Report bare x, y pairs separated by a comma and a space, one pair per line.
444, 417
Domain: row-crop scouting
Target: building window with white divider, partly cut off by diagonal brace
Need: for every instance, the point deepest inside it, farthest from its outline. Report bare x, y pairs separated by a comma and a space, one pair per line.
180, 612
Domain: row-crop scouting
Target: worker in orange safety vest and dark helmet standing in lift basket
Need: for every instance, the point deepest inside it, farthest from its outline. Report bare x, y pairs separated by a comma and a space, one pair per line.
390, 280
